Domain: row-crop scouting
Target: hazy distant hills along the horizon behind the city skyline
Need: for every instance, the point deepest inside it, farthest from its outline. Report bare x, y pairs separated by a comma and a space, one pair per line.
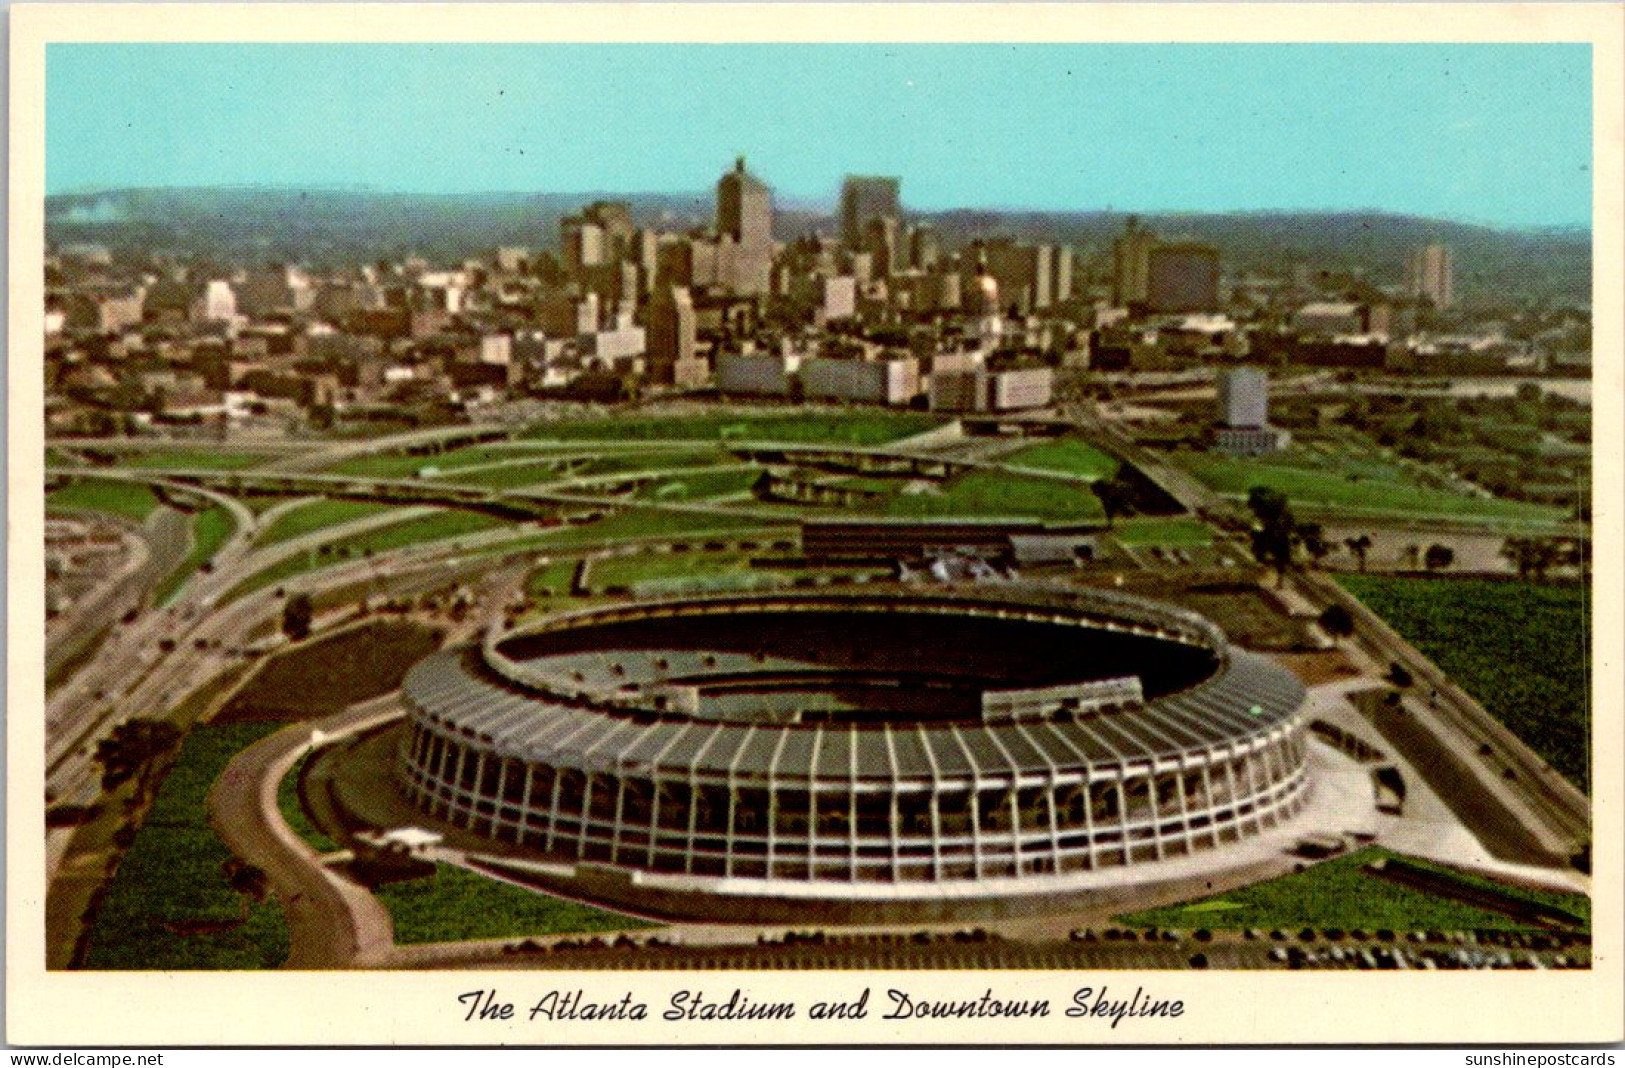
340, 227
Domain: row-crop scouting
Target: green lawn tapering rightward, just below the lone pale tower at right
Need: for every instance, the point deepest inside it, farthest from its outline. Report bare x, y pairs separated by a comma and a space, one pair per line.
1315, 479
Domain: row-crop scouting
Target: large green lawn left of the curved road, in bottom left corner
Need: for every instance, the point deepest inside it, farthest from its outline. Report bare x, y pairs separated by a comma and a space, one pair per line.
173, 875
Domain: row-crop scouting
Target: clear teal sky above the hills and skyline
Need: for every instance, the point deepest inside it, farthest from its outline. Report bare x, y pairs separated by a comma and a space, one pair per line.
1488, 134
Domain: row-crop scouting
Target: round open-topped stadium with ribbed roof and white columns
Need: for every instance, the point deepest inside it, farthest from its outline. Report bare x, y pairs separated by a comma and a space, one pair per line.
847, 747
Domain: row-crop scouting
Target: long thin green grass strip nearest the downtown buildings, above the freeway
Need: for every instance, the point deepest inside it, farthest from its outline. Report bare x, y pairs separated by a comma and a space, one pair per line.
859, 428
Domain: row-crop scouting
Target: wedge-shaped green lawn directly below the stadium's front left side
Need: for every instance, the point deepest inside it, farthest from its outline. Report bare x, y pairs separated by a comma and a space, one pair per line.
457, 905
